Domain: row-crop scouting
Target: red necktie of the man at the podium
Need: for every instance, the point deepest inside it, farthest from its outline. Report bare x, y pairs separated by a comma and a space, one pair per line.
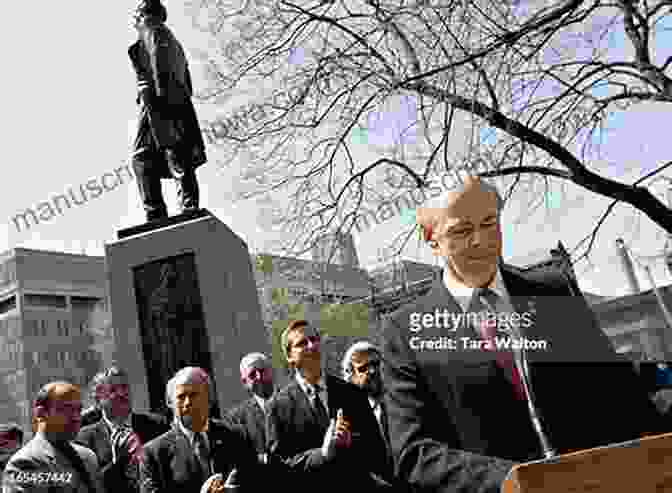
486, 300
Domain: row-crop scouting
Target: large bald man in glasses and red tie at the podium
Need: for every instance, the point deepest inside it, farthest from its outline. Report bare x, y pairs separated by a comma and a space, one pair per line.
464, 363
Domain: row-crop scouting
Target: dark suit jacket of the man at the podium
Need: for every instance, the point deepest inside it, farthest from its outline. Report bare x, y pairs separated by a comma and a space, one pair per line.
454, 422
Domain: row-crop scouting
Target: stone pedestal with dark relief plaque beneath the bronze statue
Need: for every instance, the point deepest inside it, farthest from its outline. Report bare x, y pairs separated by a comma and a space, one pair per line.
183, 293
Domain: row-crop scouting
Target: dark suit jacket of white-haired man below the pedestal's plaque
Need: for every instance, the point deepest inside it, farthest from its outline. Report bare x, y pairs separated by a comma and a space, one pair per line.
170, 464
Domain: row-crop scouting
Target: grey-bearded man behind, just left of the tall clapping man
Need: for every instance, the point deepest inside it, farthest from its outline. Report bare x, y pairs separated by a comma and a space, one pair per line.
256, 375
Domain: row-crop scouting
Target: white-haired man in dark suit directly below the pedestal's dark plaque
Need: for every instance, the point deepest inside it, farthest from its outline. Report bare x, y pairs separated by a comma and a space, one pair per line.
198, 447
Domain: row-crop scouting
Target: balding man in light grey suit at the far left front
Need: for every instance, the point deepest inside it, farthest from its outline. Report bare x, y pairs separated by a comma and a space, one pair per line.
50, 462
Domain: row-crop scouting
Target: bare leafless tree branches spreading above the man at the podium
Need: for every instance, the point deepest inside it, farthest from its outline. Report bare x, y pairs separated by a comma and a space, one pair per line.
524, 90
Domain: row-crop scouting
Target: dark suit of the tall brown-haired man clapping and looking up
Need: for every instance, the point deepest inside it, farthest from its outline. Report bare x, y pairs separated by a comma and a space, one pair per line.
295, 436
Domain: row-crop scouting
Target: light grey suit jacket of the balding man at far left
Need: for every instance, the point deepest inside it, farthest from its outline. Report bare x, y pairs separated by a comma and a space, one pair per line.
27, 470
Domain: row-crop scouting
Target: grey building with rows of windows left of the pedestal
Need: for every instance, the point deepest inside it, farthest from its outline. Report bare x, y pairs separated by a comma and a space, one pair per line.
47, 306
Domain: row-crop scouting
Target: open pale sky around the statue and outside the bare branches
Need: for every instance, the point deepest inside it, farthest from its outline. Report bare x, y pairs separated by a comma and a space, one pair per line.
69, 115
